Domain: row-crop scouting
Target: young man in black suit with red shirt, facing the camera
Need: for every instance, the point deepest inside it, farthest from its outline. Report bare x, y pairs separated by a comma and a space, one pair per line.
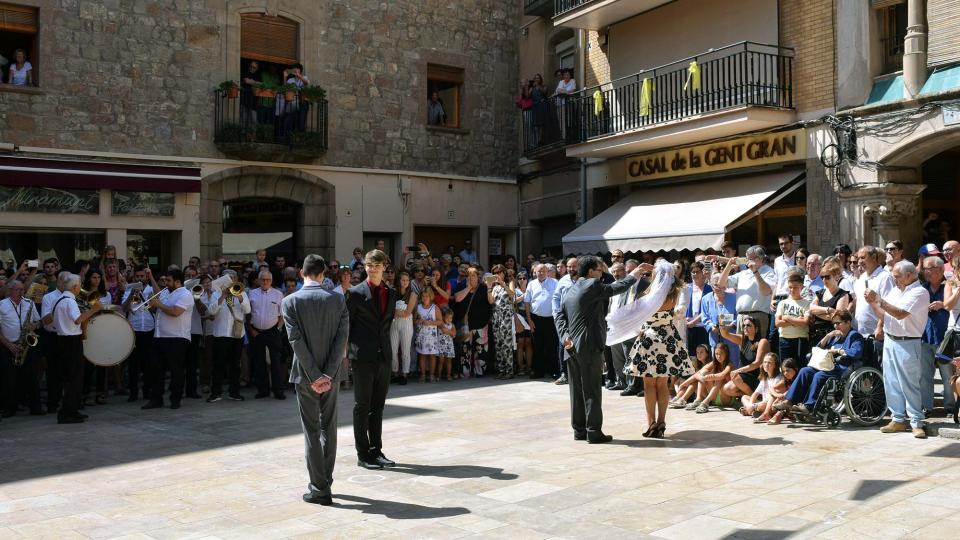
371, 305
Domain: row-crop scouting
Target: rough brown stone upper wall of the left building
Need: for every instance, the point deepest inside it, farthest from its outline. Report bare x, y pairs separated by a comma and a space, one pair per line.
136, 76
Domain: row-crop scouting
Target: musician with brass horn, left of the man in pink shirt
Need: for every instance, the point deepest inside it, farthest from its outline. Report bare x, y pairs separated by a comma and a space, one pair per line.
228, 331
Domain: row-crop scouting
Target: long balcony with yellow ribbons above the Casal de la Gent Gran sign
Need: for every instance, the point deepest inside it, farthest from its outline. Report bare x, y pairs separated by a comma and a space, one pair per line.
743, 87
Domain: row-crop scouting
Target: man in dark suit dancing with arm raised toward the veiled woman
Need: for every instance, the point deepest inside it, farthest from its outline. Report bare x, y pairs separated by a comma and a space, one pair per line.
582, 328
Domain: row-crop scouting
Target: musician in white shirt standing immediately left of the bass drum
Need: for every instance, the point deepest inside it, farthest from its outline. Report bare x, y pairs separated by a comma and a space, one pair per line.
67, 320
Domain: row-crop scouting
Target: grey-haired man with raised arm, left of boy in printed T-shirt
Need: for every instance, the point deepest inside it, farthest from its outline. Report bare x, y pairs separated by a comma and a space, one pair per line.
754, 286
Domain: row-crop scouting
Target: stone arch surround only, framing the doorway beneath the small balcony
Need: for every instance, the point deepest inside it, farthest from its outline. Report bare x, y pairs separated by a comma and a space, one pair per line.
316, 222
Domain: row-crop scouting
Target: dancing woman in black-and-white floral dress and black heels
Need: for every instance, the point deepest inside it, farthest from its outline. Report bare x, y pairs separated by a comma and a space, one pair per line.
658, 354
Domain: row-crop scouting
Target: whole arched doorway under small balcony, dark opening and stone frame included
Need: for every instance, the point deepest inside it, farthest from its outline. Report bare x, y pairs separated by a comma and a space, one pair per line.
288, 211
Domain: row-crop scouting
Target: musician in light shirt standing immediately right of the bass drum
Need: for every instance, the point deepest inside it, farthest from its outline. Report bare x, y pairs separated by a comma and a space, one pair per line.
144, 324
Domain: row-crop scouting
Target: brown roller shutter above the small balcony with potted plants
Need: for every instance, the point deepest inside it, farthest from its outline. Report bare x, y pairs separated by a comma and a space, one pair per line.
268, 39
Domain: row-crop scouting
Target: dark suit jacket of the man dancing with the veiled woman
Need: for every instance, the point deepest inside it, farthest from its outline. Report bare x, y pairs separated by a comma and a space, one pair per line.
583, 311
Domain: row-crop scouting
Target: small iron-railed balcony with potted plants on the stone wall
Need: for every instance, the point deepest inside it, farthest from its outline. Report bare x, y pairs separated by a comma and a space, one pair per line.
270, 127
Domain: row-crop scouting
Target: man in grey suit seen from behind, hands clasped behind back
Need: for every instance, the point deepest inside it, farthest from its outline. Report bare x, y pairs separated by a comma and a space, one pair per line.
318, 325
